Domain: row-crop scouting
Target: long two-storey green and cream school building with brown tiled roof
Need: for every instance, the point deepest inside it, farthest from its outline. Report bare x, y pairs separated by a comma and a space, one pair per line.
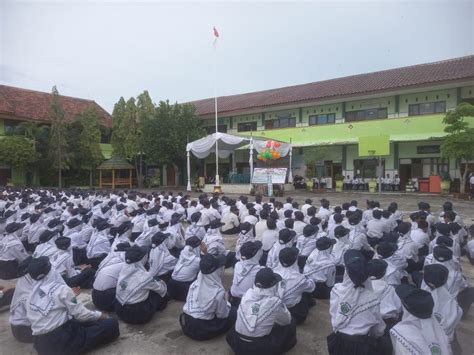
408, 104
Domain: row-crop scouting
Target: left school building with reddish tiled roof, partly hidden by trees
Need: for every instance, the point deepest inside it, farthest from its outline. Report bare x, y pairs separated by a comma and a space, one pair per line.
21, 105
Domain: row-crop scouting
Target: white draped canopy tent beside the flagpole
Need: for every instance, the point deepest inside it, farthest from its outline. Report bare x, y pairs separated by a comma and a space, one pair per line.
226, 144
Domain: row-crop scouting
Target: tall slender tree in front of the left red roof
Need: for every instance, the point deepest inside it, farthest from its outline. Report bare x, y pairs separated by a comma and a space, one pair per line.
58, 145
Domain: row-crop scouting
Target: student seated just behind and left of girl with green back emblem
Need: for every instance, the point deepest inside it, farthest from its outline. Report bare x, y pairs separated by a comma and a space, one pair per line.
321, 269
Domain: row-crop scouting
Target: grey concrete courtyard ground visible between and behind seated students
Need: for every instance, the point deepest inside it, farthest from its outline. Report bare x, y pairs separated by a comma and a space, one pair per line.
163, 334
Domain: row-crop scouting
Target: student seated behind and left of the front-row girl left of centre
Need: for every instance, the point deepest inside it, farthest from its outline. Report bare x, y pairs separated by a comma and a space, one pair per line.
186, 270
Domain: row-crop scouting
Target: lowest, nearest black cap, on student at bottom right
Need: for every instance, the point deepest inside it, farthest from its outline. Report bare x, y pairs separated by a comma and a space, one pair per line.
416, 301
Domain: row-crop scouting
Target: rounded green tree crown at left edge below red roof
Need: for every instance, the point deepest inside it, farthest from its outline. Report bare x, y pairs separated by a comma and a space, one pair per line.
17, 151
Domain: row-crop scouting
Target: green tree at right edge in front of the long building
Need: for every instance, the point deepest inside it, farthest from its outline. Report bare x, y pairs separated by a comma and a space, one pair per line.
459, 143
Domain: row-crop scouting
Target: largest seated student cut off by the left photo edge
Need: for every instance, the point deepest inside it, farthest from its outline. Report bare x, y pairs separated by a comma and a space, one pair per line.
12, 251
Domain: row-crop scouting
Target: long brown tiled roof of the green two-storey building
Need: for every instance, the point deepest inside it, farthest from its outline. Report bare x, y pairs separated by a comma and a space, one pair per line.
387, 80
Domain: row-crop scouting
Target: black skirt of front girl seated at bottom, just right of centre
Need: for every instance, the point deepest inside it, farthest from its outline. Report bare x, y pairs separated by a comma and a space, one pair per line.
280, 340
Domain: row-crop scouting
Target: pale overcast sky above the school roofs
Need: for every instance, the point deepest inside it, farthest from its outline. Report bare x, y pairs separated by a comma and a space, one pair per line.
102, 50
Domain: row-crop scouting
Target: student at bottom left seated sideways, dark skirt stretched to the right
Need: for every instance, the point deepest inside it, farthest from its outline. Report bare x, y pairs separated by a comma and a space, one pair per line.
59, 323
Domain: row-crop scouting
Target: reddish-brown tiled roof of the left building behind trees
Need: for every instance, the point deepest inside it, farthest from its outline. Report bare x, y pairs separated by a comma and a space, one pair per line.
30, 105
